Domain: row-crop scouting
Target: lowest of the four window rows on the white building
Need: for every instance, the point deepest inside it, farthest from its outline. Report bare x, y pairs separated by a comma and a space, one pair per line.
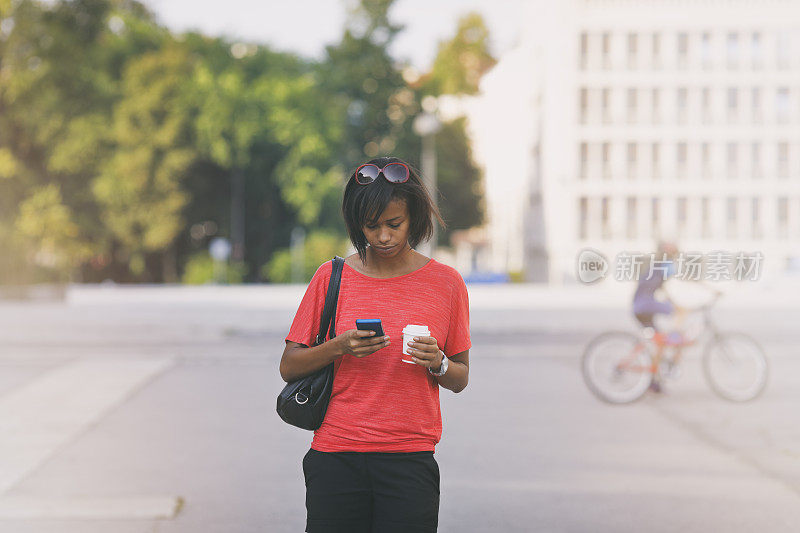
750, 211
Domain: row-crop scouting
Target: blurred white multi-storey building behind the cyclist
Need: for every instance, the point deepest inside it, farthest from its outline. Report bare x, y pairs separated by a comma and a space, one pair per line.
615, 123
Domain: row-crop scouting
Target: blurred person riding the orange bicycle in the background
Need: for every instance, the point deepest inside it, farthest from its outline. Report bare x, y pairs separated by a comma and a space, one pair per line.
646, 304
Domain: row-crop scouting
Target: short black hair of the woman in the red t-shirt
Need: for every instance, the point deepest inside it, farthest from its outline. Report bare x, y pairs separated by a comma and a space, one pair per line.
363, 205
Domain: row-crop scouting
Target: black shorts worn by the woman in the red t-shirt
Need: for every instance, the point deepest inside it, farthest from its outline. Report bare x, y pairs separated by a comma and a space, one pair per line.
371, 492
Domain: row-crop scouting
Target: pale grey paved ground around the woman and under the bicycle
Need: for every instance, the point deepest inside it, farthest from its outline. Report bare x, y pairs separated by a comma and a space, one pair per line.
187, 428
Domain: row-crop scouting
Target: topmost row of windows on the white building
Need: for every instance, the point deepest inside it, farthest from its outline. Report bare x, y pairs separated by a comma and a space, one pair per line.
704, 49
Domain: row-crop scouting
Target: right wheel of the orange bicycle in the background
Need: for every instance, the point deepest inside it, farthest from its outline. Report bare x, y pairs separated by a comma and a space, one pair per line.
735, 367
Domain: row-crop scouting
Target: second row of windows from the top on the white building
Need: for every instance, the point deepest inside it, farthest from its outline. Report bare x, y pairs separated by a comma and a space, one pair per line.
600, 105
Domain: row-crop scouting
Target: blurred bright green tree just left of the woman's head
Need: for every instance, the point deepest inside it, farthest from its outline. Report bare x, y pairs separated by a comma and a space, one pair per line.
266, 126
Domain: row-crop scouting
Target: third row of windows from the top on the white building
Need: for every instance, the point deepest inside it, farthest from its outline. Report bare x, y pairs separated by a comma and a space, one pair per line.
740, 159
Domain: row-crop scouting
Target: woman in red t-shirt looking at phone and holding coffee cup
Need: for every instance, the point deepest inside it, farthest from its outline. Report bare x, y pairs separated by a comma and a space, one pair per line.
371, 464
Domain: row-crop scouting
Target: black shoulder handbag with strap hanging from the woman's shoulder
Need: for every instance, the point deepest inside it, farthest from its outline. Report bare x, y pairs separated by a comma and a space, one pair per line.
303, 402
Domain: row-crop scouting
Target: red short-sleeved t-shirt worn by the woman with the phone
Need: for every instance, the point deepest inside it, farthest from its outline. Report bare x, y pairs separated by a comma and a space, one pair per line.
378, 402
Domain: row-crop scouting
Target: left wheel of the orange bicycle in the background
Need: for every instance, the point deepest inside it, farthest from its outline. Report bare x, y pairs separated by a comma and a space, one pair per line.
616, 367
